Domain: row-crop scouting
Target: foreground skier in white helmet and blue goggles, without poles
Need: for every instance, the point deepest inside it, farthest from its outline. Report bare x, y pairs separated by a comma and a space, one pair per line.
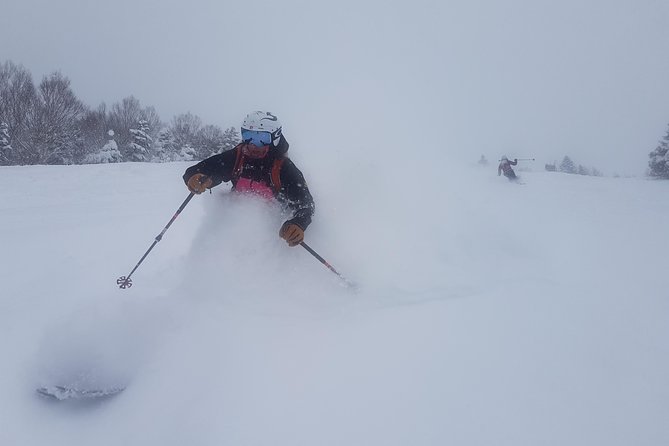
259, 165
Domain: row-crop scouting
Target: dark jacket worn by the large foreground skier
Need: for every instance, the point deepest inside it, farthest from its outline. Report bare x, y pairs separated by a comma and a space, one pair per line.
293, 191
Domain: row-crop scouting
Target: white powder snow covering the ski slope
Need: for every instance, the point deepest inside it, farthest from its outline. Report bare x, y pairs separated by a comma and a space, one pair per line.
488, 313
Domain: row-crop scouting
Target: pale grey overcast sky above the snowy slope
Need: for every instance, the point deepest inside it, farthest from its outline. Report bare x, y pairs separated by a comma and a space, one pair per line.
526, 78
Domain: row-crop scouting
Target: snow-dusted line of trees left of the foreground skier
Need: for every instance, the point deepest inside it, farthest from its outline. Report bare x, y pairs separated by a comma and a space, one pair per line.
48, 124
